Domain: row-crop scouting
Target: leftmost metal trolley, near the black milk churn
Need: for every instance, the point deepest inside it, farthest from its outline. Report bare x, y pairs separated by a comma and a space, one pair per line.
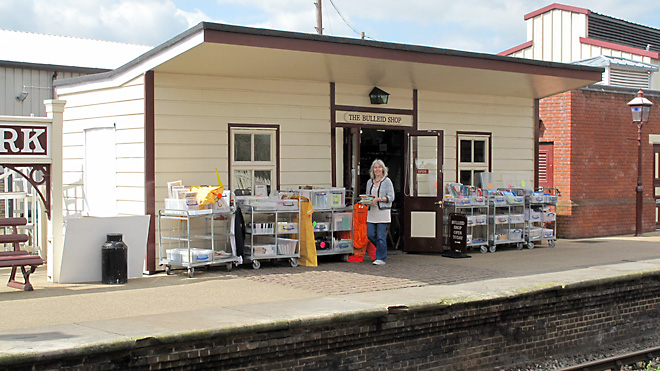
195, 238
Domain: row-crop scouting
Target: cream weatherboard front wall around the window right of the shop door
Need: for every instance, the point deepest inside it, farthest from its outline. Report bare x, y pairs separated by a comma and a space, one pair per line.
509, 120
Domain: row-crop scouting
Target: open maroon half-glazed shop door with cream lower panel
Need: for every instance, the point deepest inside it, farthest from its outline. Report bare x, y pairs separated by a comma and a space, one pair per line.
422, 219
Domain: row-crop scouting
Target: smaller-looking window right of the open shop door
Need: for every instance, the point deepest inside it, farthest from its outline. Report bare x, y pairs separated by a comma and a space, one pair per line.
472, 158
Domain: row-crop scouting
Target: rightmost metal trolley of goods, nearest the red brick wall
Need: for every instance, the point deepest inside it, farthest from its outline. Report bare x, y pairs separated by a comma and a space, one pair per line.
541, 217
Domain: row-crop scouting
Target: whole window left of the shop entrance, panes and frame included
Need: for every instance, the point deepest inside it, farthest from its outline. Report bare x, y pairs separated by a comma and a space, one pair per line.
253, 159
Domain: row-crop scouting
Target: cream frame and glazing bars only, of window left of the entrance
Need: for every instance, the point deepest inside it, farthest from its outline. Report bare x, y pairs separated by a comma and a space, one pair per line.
253, 165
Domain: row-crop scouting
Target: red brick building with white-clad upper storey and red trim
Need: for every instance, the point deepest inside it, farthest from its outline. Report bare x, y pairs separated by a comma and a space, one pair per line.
587, 141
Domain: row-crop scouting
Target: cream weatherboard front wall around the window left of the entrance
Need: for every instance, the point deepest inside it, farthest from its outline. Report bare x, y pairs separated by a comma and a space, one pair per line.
193, 112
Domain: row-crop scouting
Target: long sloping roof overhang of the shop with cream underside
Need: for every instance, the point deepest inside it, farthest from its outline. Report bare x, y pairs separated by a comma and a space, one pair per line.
220, 50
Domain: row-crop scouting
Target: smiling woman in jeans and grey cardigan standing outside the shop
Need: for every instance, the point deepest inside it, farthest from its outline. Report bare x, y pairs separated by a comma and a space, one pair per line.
378, 219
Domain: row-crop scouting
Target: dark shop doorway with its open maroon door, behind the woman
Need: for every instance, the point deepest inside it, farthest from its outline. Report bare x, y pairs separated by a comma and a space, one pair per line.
414, 160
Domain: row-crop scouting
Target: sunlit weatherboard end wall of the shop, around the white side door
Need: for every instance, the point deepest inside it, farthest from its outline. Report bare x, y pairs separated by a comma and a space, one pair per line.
121, 108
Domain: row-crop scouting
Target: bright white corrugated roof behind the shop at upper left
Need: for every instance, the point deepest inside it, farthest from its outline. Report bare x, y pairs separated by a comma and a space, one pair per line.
27, 47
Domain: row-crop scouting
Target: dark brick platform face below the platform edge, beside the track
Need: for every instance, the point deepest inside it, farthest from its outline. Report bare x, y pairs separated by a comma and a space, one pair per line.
478, 335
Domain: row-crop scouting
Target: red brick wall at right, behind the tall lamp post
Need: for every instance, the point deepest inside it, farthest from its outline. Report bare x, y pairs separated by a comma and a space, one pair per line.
595, 162
